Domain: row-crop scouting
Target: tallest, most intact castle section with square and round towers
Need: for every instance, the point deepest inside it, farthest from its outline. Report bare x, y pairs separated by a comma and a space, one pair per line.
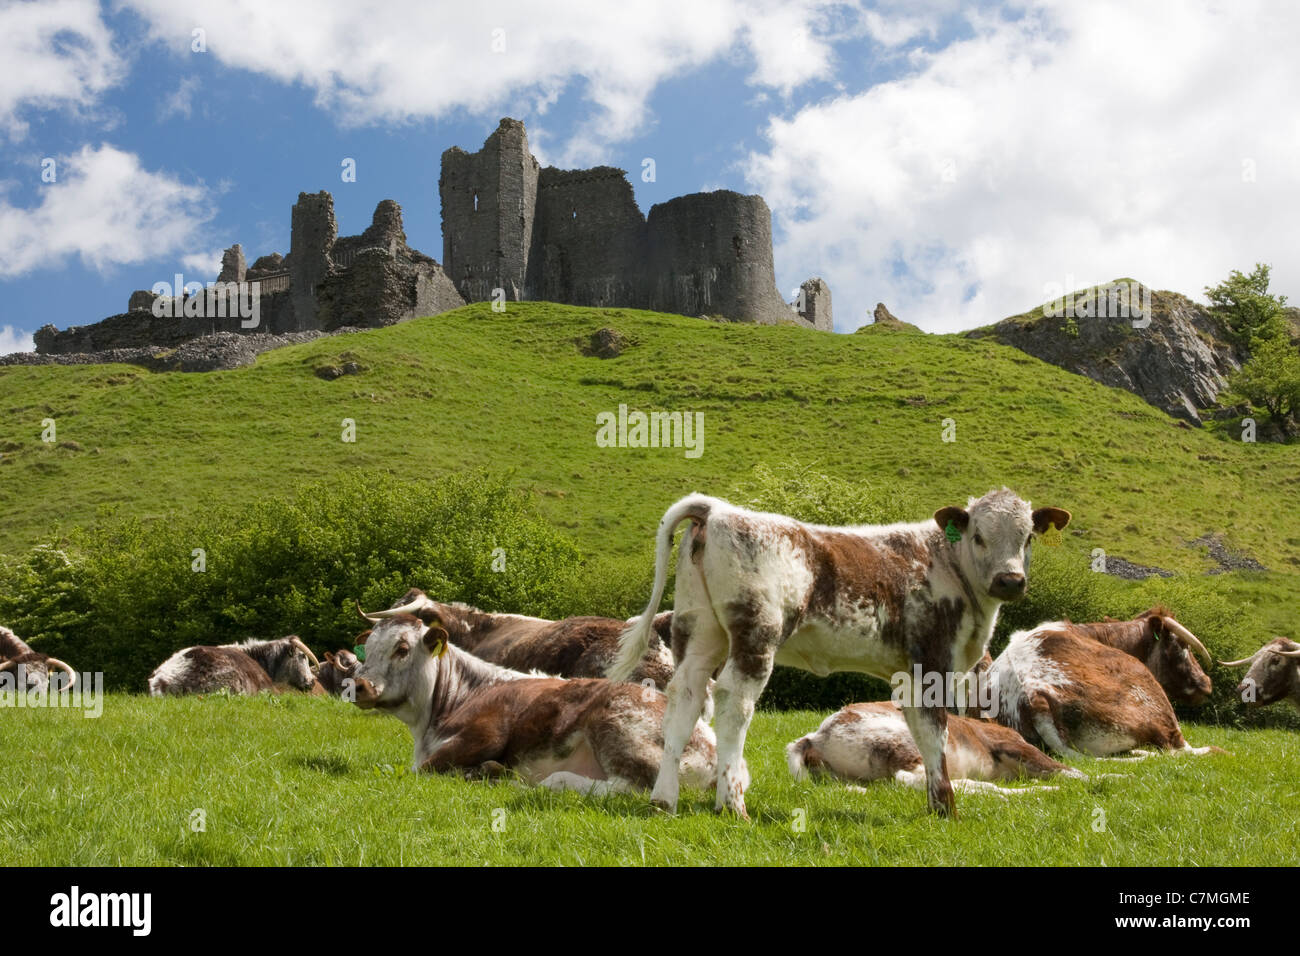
577, 236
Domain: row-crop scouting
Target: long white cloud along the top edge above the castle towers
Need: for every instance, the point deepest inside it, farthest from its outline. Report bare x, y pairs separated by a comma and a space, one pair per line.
400, 62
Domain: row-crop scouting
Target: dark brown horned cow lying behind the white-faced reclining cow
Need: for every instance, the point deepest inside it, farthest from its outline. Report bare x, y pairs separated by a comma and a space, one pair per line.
570, 648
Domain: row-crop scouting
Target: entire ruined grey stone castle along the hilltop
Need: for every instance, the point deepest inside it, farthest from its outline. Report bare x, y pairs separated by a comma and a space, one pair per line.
512, 231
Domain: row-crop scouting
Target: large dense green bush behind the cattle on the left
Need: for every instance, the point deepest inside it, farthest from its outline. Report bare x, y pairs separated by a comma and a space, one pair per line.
122, 596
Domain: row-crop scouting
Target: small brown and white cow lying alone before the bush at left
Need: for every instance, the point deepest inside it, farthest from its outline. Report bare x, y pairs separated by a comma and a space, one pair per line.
246, 668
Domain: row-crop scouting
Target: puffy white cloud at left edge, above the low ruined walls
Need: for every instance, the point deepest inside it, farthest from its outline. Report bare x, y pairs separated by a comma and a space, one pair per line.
105, 209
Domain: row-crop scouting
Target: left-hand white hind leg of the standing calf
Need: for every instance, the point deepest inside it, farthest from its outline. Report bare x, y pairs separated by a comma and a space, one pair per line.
700, 644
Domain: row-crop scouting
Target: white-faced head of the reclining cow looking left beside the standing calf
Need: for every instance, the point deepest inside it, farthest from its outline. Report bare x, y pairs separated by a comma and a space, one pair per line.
400, 655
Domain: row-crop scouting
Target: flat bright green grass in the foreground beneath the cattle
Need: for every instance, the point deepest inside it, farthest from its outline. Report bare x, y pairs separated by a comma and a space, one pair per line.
302, 781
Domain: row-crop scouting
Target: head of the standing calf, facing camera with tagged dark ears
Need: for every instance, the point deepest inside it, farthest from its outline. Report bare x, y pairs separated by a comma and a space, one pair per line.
991, 540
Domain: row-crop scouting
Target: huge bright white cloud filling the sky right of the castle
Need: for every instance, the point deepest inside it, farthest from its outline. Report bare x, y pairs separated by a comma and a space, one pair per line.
1082, 142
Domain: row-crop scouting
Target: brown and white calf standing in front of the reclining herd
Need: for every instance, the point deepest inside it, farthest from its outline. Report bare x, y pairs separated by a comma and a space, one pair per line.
757, 590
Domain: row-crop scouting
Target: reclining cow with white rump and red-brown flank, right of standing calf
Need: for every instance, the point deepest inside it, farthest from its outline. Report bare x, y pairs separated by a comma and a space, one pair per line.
1067, 693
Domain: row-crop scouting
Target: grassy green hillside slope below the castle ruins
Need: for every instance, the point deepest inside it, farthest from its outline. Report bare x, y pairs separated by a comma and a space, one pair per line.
475, 390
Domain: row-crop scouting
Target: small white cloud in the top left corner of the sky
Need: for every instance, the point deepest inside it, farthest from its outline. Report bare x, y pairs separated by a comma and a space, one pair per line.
57, 55
